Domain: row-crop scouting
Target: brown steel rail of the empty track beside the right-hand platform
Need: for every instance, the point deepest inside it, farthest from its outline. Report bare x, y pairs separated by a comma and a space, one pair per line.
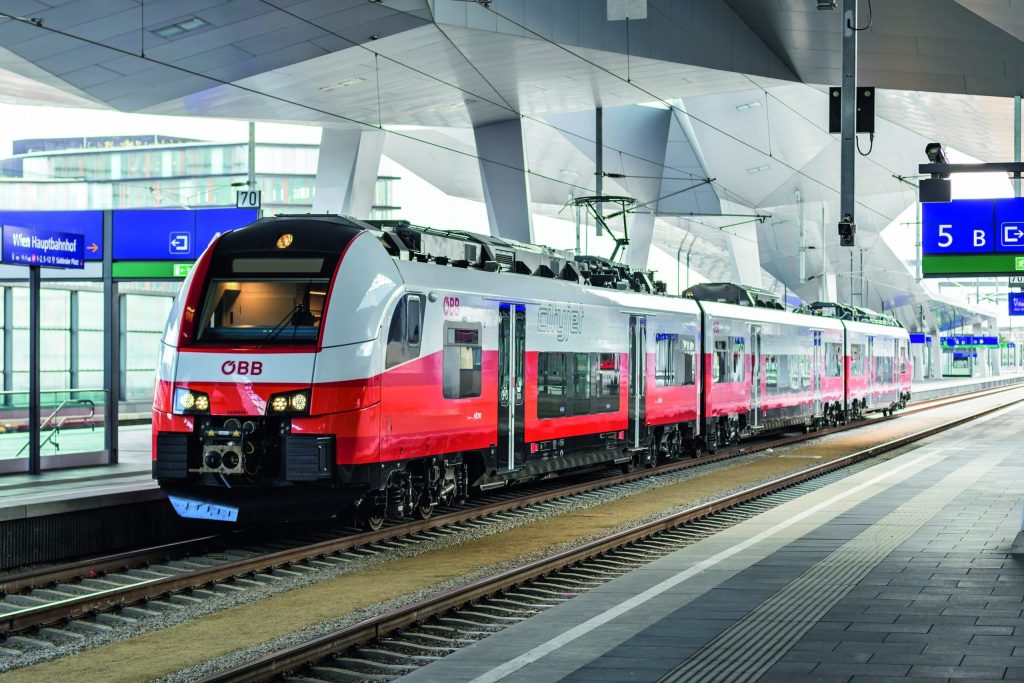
295, 657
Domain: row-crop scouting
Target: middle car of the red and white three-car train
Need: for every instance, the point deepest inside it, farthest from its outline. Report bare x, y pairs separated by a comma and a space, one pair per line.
765, 368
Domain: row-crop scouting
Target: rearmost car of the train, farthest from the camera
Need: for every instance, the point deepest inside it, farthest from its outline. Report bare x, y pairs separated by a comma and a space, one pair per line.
877, 352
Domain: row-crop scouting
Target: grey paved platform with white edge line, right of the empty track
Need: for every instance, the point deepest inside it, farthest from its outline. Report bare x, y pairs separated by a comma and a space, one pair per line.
902, 570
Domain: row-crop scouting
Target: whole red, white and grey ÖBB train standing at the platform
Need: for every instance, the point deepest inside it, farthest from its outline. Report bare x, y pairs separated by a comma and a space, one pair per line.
316, 365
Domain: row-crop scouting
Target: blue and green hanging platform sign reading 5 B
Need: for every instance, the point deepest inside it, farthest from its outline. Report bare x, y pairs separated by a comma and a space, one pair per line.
973, 238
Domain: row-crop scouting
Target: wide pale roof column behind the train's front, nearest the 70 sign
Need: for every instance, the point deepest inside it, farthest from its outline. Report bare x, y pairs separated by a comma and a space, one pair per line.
347, 172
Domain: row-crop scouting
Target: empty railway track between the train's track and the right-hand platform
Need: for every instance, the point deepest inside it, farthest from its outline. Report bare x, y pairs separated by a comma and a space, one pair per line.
396, 644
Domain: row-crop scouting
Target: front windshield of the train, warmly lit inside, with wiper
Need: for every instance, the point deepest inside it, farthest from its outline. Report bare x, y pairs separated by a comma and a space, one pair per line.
264, 311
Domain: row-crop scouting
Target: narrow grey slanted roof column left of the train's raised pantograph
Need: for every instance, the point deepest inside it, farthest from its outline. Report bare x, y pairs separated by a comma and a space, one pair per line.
502, 152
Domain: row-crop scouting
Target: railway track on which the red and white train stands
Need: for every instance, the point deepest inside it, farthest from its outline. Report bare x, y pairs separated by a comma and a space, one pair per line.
50, 606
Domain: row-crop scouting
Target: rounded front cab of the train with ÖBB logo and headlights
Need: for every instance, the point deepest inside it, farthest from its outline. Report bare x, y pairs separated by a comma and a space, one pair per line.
267, 393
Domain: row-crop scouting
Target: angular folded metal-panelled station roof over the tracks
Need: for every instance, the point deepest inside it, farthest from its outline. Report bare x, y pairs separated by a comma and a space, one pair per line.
747, 81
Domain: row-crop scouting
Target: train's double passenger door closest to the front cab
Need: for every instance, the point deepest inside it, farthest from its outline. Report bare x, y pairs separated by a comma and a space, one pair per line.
511, 381
